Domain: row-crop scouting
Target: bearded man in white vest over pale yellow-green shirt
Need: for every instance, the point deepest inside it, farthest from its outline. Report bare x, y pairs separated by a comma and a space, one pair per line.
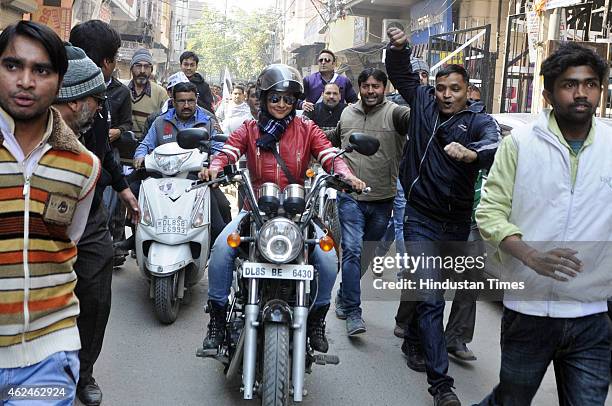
546, 205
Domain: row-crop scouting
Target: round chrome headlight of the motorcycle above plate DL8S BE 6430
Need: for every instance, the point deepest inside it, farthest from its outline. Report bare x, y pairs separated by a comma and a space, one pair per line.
280, 240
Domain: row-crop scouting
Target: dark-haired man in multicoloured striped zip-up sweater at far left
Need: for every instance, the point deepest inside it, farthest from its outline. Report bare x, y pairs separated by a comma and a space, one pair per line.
46, 182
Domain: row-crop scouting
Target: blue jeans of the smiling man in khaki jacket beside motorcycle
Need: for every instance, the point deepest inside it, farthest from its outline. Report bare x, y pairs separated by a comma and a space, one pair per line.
360, 222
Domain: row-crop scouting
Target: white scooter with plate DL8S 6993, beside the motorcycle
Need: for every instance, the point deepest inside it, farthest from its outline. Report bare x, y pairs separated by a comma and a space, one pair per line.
173, 237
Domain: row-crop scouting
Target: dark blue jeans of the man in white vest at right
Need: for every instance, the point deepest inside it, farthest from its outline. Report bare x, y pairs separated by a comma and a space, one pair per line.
579, 349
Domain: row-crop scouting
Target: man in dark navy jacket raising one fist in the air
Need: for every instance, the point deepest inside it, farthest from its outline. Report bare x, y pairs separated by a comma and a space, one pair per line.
450, 140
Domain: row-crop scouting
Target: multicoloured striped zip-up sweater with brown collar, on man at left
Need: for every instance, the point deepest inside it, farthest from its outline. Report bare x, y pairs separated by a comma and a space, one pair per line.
38, 308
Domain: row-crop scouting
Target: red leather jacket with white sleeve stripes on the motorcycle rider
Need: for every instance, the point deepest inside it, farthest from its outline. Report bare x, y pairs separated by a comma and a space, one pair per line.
301, 140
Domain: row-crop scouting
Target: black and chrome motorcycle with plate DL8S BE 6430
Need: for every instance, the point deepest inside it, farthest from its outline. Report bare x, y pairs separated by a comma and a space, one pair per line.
266, 340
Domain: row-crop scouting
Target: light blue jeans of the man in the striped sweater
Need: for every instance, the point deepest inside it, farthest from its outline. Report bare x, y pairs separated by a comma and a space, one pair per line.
59, 370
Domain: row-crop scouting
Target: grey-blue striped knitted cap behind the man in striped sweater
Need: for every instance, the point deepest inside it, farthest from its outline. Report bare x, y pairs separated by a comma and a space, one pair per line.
83, 78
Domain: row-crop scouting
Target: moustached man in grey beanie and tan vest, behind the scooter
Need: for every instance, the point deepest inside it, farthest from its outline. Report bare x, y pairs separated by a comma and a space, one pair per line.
147, 96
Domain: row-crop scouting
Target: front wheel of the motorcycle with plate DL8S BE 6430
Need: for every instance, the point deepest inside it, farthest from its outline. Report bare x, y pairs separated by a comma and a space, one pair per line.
275, 385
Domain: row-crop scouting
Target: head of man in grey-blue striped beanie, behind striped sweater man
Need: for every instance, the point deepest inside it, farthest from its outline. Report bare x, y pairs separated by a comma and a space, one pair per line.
82, 93
